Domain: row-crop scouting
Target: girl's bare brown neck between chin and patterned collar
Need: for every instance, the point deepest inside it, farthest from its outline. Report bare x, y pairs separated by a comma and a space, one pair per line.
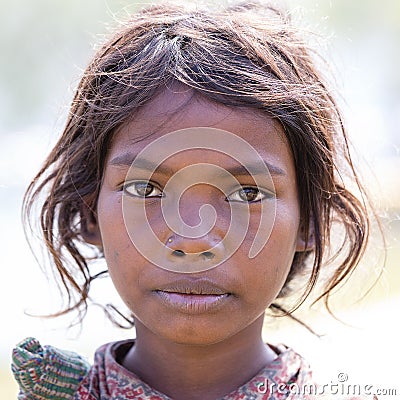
203, 372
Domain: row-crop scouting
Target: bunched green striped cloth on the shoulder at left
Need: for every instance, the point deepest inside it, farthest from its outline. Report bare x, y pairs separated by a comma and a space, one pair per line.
46, 372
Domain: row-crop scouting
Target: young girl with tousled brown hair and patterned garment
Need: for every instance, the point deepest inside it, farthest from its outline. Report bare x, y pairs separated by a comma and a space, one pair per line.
201, 160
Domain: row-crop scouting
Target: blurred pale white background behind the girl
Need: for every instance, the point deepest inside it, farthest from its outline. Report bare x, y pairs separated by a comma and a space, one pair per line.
44, 46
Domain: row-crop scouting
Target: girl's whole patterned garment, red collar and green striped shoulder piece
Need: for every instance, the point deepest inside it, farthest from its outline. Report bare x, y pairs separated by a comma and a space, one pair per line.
45, 373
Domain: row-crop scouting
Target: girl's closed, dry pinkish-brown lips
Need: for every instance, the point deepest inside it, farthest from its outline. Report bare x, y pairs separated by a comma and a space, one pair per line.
193, 296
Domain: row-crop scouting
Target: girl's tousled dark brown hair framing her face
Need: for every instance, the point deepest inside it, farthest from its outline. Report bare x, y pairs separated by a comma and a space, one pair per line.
247, 55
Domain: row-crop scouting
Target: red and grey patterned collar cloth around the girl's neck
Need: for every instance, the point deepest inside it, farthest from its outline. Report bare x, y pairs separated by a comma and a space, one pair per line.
109, 380
